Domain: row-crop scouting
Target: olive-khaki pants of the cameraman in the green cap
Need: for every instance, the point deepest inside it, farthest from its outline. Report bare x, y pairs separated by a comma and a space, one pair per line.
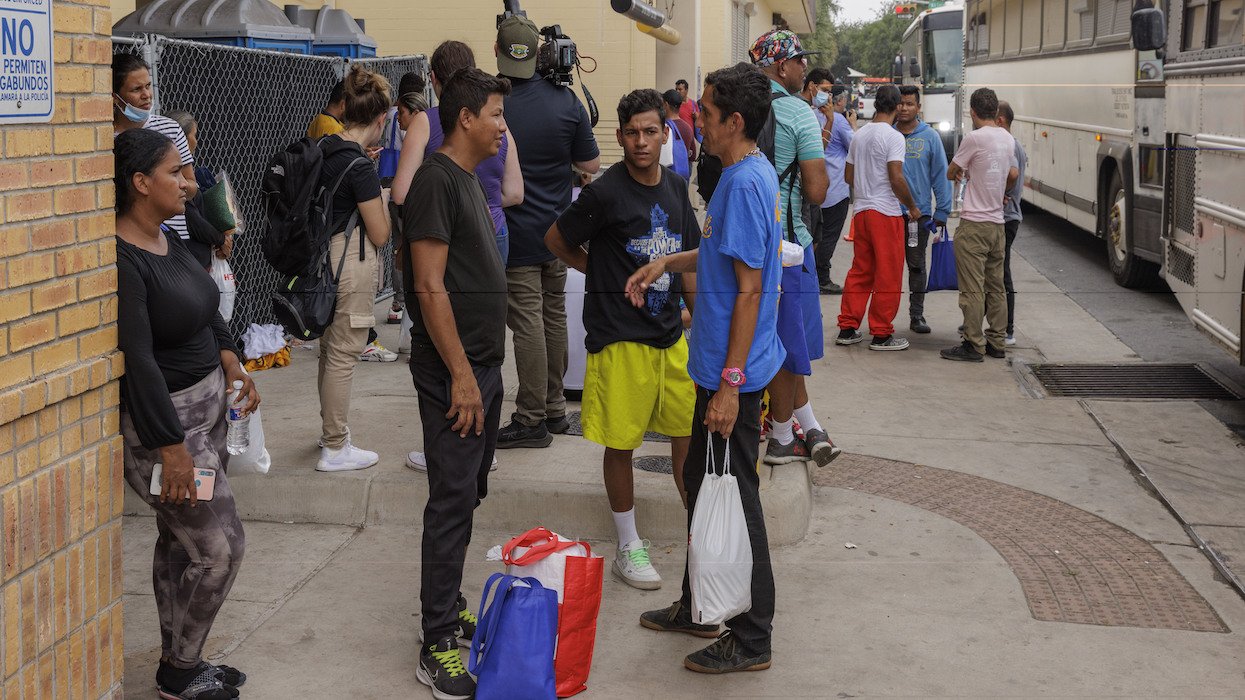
537, 315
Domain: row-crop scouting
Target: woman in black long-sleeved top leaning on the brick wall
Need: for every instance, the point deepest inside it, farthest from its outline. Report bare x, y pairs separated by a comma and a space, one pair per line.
180, 361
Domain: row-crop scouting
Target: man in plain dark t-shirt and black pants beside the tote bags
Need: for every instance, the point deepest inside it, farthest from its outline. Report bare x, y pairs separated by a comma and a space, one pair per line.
456, 296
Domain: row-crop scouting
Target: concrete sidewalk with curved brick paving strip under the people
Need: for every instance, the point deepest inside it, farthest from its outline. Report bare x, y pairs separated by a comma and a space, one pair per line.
956, 566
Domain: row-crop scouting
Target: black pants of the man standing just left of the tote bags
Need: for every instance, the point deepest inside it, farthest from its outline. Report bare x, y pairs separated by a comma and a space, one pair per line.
458, 483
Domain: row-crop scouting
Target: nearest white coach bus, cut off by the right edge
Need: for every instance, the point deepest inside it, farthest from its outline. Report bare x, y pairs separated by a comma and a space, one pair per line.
1202, 119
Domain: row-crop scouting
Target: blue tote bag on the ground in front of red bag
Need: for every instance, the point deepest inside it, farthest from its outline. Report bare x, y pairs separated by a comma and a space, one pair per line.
514, 648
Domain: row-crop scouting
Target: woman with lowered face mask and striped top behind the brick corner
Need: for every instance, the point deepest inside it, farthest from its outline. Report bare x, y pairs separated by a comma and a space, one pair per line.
133, 98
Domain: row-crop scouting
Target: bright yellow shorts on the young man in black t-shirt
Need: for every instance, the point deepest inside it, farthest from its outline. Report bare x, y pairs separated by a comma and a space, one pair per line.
631, 388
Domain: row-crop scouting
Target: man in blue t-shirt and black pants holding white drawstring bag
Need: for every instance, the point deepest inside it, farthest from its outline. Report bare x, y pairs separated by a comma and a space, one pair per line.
735, 349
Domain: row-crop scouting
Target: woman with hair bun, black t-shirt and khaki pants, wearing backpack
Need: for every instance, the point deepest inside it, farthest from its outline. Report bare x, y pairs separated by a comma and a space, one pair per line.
360, 225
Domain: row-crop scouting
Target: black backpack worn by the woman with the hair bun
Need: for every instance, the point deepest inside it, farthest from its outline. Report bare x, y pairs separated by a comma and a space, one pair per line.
298, 242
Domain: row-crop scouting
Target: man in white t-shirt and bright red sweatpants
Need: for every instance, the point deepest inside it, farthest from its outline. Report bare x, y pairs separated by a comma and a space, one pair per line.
876, 171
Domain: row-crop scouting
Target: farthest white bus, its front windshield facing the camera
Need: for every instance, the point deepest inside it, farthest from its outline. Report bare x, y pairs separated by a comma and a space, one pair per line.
932, 58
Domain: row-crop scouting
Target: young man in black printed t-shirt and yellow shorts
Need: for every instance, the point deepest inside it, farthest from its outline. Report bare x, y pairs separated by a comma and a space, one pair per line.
637, 378
